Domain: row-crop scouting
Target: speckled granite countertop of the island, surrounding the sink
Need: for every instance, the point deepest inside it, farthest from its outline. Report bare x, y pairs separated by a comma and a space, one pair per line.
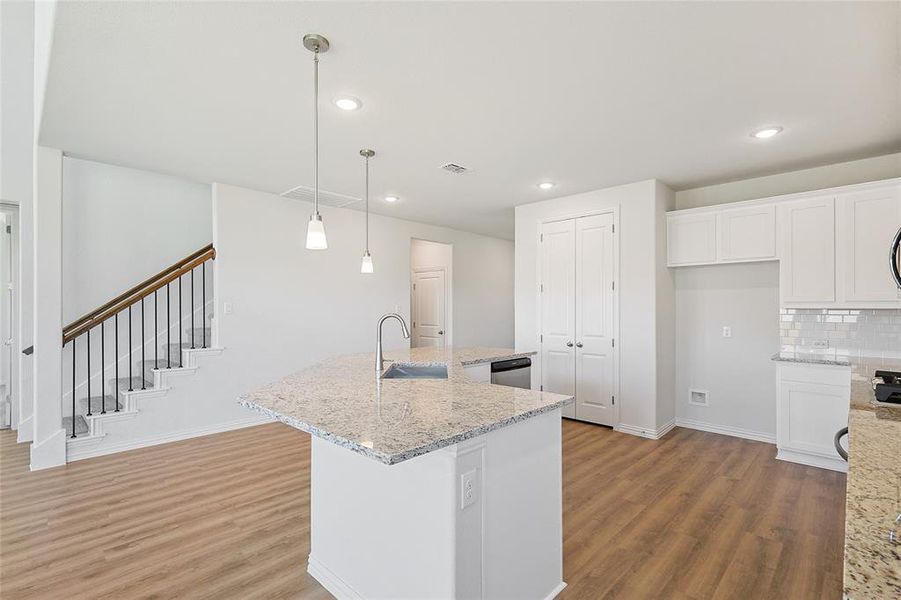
392, 420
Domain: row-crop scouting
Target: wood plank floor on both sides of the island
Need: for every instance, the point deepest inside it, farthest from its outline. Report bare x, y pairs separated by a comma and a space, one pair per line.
692, 516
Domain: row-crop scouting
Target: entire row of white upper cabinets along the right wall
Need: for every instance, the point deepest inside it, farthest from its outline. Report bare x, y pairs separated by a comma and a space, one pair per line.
833, 245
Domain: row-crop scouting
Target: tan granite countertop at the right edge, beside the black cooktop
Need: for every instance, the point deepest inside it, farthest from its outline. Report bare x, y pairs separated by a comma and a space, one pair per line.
873, 495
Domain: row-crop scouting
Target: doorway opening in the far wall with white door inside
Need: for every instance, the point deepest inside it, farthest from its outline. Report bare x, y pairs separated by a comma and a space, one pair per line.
431, 295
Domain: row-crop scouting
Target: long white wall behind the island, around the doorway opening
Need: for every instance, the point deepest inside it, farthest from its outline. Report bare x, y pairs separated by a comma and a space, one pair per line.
293, 307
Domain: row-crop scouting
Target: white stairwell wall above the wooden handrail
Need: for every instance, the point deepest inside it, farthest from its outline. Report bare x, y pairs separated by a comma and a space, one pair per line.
121, 226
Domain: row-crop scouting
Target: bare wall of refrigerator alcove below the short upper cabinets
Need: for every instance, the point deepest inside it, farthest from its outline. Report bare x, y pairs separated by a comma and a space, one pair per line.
737, 372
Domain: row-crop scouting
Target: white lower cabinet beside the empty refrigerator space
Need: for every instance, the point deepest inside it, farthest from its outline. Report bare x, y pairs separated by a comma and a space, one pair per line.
813, 402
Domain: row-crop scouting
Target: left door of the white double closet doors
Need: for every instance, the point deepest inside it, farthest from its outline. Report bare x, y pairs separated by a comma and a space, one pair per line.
557, 290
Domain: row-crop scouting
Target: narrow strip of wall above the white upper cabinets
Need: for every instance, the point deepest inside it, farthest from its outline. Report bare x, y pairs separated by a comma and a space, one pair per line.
846, 173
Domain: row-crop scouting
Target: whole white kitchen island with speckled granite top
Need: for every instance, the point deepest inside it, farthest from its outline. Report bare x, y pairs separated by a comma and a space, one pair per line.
427, 488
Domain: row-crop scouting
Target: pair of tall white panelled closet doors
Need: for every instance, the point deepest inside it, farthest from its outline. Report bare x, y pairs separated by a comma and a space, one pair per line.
578, 314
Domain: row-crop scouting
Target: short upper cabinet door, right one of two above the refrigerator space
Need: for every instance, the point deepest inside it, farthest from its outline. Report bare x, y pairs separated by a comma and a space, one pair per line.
745, 234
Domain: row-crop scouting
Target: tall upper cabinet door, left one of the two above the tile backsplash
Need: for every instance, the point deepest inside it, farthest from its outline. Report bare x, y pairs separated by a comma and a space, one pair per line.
807, 269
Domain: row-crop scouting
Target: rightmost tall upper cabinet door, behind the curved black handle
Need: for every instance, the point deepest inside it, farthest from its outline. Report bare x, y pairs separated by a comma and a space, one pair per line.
870, 220
